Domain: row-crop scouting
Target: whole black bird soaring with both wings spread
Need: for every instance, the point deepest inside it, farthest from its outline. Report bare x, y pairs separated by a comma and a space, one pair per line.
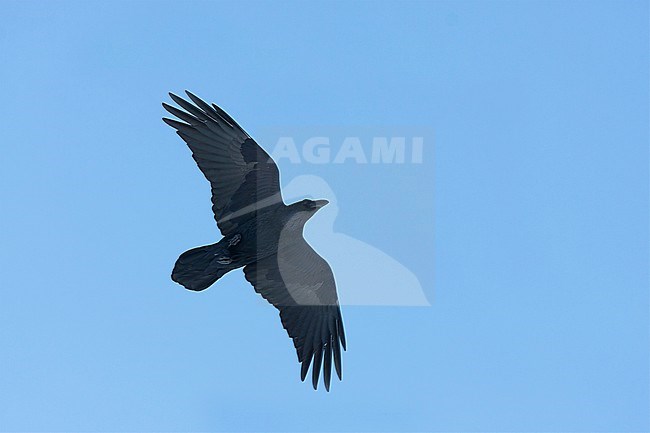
261, 234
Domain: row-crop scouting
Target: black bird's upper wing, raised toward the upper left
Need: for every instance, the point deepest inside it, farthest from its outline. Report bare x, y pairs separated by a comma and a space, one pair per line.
243, 176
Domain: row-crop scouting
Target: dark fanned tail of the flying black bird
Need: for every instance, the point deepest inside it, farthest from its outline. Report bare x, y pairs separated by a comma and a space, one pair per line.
198, 268
